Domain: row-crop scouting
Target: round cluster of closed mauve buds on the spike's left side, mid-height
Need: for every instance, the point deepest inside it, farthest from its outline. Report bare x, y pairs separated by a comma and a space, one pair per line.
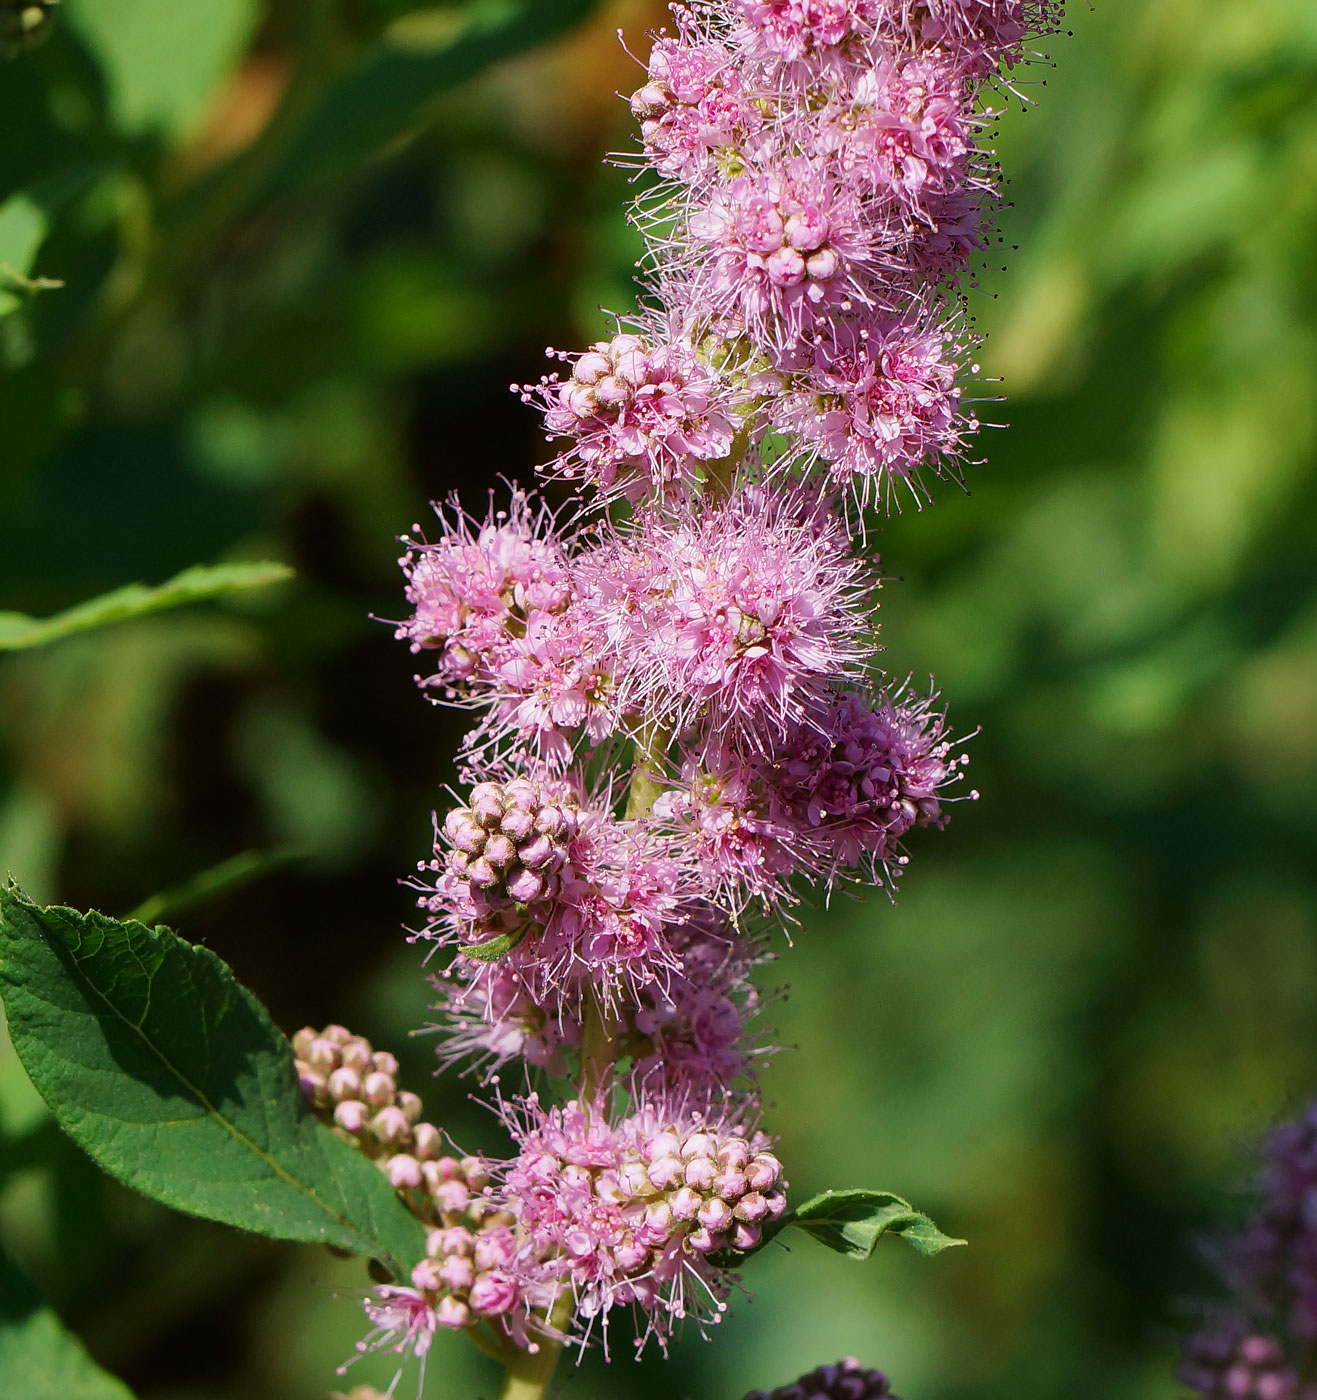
510, 843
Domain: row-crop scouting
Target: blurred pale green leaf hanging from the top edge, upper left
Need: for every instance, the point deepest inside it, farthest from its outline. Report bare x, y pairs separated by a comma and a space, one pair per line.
163, 59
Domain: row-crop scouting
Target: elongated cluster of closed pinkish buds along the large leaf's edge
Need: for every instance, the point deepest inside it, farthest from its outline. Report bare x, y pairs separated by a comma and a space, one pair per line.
355, 1090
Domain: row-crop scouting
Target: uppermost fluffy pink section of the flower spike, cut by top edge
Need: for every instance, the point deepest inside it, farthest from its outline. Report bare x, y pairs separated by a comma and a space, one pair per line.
817, 188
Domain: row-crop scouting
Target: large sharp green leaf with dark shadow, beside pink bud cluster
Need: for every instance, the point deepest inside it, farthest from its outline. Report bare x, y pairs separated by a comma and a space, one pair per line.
171, 1076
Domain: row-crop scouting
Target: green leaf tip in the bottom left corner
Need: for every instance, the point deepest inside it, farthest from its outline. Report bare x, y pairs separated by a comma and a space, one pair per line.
38, 1359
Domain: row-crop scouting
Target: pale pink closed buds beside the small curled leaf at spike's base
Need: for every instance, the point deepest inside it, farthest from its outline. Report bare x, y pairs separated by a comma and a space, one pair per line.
720, 1188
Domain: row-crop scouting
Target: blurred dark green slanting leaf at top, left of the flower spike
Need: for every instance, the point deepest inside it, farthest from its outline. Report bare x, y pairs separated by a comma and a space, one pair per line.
391, 90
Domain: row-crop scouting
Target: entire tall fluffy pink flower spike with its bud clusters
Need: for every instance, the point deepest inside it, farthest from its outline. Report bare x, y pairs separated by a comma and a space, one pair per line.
678, 720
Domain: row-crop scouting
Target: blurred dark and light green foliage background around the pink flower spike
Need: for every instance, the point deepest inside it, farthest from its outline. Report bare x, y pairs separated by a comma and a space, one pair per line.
306, 247
